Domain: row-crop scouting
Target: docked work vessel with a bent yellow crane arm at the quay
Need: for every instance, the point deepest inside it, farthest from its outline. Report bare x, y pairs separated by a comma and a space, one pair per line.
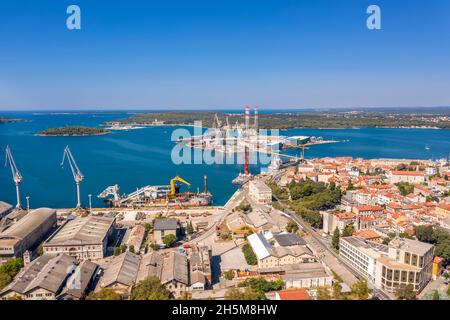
158, 196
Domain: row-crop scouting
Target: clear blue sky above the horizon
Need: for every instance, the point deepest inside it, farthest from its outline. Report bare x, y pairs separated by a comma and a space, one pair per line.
223, 54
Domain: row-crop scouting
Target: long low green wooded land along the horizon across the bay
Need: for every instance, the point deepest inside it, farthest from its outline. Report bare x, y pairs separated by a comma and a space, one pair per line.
291, 120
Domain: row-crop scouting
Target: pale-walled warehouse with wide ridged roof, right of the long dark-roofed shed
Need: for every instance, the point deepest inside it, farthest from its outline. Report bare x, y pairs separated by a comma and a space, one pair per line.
82, 237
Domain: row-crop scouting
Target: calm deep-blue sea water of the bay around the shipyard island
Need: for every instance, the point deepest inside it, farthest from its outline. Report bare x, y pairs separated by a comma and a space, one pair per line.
142, 157
